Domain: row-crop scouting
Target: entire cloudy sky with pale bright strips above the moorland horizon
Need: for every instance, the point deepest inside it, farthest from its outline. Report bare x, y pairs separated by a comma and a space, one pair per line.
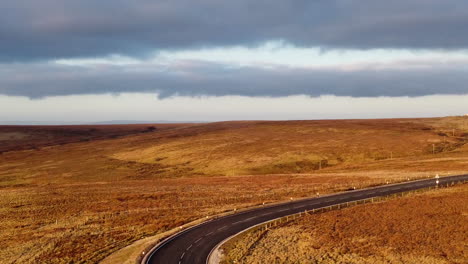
64, 61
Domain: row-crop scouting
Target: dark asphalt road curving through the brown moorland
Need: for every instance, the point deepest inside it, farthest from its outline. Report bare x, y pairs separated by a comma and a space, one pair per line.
195, 244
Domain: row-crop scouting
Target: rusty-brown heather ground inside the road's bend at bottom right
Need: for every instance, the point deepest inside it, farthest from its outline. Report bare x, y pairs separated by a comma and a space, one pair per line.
426, 228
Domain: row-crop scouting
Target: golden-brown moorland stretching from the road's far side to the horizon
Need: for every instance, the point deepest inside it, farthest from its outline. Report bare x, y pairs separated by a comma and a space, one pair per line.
68, 197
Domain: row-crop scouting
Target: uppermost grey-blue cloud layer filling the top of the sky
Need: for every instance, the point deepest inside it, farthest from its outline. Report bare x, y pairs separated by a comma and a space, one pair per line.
46, 29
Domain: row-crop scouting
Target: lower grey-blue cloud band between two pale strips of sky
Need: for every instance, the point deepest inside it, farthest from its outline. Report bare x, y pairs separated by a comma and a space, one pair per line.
194, 78
